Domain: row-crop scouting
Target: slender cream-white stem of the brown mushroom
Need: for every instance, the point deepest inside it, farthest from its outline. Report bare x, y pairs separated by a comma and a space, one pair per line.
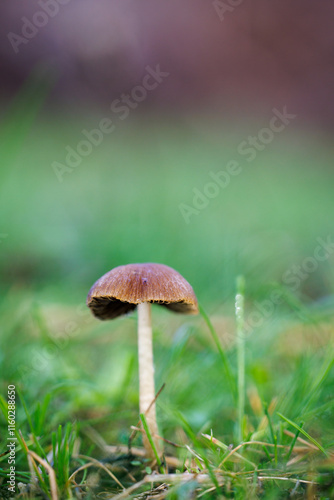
146, 375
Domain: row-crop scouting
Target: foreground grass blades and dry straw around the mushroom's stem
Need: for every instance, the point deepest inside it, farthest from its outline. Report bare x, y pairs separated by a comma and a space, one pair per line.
72, 418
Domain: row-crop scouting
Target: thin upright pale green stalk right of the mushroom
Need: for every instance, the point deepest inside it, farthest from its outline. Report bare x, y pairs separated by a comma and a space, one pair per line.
239, 313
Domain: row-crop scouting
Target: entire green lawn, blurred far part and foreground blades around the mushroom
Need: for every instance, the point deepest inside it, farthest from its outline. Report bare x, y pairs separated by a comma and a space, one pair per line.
244, 412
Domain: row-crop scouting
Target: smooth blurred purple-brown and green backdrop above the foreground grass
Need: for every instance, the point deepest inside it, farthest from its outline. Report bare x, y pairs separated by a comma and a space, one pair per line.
65, 63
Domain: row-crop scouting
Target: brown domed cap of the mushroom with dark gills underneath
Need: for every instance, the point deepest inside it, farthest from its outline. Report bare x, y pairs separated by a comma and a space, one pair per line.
121, 289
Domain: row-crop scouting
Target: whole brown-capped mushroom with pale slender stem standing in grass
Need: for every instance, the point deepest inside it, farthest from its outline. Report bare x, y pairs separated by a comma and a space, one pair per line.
123, 289
